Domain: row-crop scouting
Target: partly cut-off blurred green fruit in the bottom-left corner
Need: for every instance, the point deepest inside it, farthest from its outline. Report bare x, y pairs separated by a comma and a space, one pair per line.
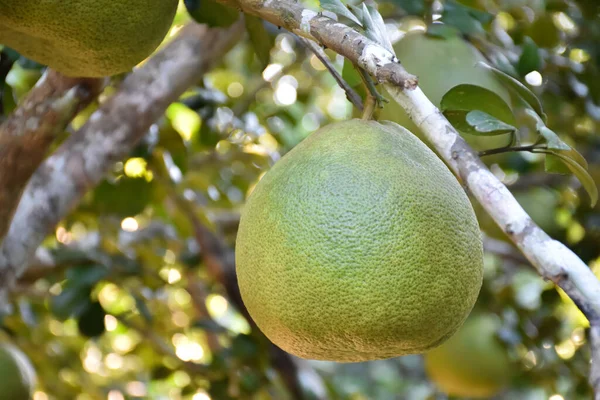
17, 376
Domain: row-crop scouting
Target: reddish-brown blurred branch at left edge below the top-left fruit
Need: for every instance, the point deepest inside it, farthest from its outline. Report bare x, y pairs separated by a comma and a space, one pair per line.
30, 130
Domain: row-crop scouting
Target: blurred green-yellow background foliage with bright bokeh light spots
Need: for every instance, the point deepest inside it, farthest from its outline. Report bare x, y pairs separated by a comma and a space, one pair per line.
133, 309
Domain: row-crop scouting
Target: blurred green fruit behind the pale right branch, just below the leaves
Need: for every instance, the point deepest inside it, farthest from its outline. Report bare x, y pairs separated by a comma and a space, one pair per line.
539, 202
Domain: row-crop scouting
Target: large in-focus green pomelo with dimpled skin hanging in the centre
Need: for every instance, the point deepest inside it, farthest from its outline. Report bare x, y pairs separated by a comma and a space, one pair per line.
359, 244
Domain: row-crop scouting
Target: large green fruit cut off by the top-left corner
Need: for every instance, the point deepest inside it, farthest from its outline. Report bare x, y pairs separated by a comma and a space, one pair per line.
86, 37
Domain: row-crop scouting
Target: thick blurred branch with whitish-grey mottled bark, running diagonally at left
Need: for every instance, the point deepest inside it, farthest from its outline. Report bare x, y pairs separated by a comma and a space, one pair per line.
109, 136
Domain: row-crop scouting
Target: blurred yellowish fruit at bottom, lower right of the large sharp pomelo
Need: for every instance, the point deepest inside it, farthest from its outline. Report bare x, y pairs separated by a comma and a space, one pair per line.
472, 363
